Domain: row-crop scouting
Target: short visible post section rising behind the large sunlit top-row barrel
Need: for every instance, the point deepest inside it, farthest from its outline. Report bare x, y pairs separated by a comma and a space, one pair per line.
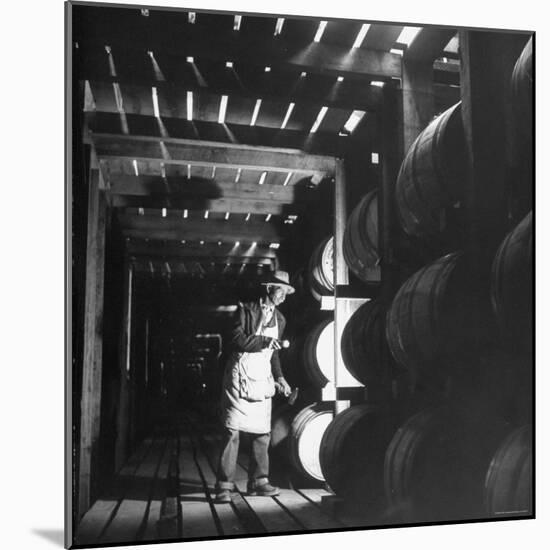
418, 99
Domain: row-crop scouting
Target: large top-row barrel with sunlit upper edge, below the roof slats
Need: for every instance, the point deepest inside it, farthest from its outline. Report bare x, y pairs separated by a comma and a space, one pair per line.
432, 175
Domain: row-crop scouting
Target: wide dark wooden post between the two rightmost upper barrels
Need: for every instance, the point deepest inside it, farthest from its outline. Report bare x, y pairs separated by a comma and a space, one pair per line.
487, 61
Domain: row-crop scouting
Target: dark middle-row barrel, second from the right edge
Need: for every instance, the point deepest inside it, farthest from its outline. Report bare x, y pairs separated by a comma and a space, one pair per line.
438, 314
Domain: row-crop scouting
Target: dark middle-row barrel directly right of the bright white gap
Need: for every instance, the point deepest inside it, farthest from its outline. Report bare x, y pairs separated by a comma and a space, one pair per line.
364, 345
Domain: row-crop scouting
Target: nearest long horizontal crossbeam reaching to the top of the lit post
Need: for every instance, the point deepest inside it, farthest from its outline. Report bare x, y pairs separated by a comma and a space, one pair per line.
200, 153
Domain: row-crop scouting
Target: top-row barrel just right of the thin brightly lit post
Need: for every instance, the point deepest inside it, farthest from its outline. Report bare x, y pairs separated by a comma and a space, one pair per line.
360, 245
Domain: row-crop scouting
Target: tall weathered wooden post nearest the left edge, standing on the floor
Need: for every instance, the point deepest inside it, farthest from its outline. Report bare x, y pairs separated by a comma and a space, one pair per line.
93, 345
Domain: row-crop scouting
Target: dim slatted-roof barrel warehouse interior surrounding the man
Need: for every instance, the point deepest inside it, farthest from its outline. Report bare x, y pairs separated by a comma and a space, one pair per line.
389, 170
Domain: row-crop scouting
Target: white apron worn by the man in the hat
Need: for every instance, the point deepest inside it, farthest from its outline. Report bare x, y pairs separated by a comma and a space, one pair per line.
239, 413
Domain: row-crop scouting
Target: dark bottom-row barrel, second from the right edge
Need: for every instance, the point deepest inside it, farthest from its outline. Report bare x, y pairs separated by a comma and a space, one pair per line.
436, 463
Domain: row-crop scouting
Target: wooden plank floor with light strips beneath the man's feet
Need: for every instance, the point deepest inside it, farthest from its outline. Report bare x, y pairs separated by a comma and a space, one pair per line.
166, 490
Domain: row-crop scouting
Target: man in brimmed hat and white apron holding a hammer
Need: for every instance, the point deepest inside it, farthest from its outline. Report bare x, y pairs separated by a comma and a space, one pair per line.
252, 375
